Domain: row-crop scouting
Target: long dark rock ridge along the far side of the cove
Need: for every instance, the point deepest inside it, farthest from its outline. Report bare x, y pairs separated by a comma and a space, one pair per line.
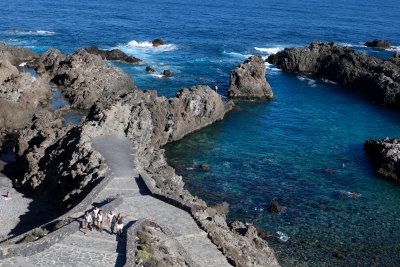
379, 79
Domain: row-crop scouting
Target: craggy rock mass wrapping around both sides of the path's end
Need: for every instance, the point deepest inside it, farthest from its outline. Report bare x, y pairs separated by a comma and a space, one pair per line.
60, 163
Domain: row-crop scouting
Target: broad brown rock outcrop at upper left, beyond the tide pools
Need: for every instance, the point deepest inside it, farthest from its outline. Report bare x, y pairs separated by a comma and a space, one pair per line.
84, 78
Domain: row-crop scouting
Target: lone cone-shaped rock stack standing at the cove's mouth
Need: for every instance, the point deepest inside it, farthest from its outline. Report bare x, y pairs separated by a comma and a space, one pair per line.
248, 81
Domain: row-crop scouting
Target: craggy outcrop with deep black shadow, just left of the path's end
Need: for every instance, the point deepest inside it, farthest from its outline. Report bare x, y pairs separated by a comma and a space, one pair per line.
58, 164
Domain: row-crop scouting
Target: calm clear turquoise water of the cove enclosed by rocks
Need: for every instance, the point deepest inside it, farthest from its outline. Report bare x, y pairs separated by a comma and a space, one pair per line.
303, 149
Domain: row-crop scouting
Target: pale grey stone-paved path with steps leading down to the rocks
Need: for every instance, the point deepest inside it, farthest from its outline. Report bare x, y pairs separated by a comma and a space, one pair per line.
103, 249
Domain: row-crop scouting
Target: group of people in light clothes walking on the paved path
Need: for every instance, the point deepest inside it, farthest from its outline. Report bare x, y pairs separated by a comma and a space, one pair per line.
95, 219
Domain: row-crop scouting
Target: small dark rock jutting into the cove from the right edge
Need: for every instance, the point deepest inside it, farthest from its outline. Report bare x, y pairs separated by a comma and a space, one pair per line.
385, 156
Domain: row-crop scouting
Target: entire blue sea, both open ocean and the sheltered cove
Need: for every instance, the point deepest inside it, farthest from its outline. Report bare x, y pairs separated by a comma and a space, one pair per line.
303, 149
